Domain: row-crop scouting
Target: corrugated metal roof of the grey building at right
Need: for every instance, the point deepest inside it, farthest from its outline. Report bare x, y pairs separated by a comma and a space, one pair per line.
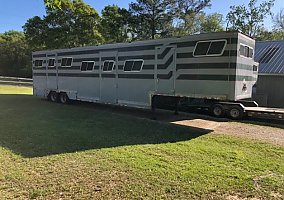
270, 55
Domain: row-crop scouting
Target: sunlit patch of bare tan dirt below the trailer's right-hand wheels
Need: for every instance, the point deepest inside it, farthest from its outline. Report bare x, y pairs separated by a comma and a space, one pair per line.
266, 132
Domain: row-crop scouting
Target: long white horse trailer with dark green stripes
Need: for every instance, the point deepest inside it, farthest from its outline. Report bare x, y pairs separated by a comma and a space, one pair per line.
214, 70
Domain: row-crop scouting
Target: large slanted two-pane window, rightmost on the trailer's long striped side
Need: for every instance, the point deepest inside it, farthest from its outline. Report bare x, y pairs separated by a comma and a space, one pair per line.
209, 48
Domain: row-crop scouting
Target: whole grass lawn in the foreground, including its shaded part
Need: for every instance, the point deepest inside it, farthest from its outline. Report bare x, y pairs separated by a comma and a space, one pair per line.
53, 151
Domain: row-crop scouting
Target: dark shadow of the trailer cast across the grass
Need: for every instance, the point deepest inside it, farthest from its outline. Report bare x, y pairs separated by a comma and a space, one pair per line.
32, 127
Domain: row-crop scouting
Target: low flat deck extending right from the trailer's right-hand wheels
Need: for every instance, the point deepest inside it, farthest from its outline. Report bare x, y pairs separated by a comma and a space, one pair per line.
266, 113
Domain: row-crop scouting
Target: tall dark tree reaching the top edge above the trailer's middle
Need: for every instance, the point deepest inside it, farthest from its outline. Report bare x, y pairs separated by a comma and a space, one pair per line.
150, 18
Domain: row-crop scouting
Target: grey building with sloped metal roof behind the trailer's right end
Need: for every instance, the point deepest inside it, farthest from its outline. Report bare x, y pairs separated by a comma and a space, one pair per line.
269, 87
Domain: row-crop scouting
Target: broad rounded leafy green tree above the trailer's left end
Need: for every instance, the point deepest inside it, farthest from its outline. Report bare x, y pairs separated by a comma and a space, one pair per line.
75, 24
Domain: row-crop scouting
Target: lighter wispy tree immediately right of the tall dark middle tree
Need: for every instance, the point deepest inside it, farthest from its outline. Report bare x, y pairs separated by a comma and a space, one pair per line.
186, 14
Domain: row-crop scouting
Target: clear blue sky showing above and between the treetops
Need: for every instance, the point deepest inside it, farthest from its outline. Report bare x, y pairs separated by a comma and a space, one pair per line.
15, 13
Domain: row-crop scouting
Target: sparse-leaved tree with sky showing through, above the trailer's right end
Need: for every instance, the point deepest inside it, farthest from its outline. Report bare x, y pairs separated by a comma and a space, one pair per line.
249, 19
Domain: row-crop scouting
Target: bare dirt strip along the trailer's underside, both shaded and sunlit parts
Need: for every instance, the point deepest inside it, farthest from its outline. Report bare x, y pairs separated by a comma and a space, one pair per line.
264, 130
